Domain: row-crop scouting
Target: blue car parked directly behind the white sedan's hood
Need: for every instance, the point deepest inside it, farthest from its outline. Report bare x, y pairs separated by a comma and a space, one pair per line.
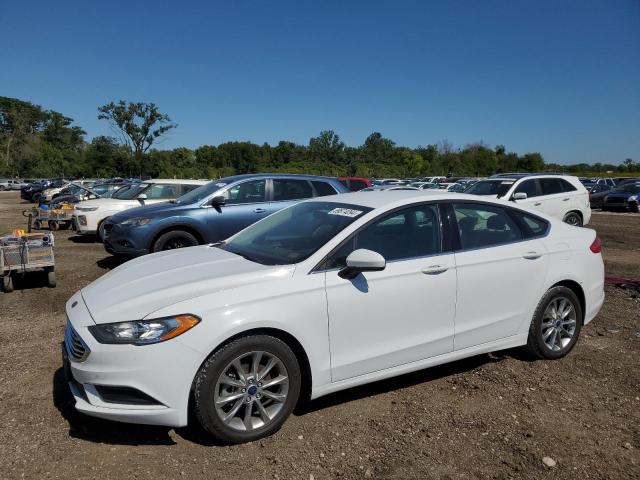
210, 213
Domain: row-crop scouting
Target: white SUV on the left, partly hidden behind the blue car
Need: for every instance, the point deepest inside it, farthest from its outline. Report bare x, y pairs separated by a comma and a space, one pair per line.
90, 215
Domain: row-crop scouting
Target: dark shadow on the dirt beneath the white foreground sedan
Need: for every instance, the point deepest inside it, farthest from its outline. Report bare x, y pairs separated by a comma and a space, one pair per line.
105, 431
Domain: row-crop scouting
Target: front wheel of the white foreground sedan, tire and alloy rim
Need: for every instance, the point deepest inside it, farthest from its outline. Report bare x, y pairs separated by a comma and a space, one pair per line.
255, 410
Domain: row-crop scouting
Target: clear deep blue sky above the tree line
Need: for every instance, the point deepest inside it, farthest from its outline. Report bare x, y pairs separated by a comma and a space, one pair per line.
560, 77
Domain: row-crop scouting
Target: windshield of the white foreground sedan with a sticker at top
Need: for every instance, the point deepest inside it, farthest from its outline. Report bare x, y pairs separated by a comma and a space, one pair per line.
293, 234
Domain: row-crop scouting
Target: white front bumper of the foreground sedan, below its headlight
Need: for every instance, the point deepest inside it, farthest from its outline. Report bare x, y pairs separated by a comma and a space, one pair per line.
163, 372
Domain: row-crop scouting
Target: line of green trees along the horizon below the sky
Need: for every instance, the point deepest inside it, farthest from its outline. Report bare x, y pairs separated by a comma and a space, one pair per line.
42, 143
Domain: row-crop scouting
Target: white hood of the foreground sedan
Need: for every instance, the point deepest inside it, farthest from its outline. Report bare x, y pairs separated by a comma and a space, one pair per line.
144, 285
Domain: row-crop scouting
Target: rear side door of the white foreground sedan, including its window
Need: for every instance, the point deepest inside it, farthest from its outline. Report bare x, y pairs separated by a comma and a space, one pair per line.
500, 272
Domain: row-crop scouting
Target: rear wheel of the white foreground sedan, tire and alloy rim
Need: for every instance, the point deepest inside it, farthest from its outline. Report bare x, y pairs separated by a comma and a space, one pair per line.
553, 335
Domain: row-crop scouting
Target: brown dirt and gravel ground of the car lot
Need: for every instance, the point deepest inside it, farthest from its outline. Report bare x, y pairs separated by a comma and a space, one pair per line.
492, 416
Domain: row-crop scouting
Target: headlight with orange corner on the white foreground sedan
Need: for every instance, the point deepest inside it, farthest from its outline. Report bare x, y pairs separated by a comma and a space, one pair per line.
144, 332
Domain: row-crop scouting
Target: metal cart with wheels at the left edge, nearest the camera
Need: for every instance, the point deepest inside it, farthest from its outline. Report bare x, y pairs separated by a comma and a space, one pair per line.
26, 252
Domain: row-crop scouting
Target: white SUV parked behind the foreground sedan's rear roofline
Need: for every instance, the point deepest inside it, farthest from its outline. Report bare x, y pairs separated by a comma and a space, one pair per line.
561, 196
